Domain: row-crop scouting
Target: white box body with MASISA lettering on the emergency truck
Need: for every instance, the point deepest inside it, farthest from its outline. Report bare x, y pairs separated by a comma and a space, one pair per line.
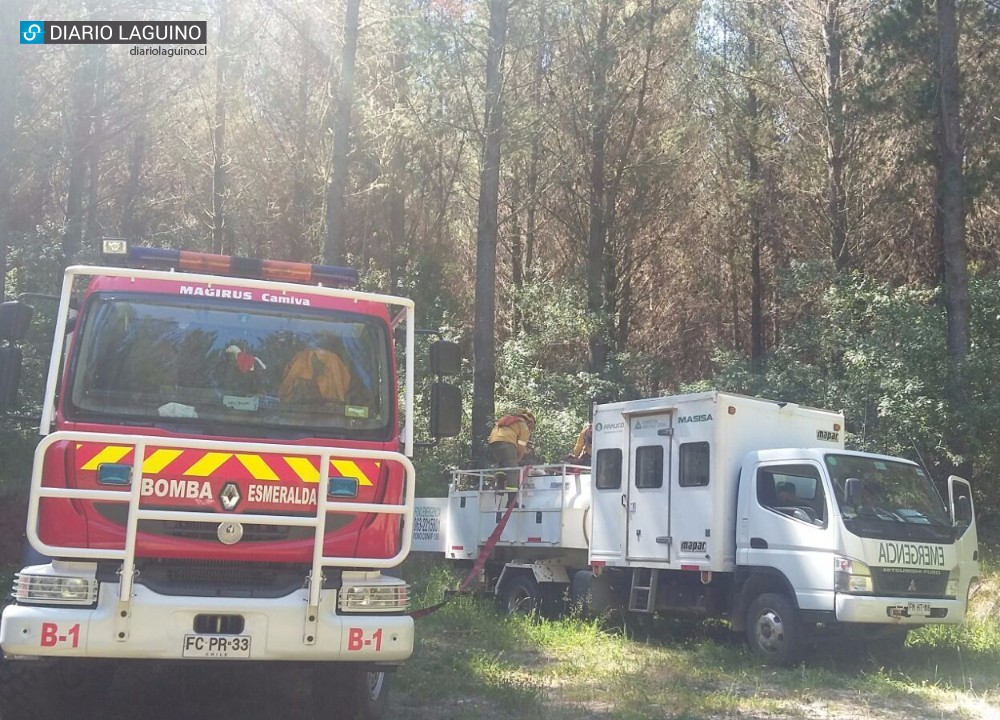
672, 504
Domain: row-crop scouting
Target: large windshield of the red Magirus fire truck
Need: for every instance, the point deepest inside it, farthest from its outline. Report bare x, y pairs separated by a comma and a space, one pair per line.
162, 360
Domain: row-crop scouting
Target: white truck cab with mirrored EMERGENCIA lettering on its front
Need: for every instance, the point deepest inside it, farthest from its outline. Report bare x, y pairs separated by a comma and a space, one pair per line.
854, 538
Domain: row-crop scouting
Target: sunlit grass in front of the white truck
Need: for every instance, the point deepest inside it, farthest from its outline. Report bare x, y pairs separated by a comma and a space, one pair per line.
472, 662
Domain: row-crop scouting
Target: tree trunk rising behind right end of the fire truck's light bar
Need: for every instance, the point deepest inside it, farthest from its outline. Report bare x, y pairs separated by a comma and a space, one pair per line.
336, 196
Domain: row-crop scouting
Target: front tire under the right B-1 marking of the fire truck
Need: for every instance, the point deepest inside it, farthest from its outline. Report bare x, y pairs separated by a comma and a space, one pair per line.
348, 692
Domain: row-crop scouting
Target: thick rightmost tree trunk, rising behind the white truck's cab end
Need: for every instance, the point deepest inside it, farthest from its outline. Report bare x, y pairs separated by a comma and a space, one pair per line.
951, 208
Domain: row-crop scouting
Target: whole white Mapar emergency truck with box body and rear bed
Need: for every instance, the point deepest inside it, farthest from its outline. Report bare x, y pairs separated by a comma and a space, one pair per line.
721, 505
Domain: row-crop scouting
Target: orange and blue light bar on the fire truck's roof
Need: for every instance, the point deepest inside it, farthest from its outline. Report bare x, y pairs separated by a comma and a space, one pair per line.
233, 266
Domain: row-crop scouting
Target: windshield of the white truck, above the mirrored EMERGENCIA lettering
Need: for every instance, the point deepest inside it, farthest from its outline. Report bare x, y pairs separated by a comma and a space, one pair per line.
876, 495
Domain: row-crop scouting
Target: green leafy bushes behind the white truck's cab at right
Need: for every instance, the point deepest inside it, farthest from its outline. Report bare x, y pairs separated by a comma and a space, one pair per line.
877, 353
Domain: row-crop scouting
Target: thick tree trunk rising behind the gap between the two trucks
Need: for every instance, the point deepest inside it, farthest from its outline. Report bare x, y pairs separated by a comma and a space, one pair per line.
484, 334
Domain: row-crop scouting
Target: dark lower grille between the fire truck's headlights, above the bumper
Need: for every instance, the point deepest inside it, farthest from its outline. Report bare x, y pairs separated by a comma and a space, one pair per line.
217, 578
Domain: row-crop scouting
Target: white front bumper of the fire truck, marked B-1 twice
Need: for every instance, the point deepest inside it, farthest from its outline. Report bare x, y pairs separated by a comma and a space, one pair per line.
252, 629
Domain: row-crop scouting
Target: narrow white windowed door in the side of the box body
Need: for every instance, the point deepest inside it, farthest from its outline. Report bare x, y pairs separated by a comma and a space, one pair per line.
648, 501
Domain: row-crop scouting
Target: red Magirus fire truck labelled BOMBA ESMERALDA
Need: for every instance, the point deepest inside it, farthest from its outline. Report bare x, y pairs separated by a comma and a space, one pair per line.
223, 475
